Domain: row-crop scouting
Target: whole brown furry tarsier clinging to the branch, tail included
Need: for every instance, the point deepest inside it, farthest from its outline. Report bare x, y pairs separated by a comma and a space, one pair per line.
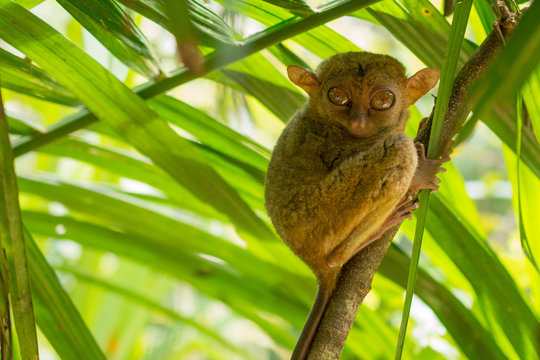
341, 172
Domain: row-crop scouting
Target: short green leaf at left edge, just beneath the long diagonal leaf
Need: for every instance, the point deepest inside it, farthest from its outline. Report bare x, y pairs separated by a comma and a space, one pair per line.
22, 76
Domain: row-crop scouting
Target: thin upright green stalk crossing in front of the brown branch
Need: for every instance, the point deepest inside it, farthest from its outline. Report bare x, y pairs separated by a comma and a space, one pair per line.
457, 33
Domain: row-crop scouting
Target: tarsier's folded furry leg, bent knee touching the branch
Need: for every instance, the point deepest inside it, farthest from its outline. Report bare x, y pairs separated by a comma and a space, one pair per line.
365, 189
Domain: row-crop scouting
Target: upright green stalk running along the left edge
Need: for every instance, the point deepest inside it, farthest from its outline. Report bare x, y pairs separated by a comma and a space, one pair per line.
11, 230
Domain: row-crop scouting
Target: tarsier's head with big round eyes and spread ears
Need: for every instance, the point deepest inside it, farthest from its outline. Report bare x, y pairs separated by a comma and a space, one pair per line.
362, 92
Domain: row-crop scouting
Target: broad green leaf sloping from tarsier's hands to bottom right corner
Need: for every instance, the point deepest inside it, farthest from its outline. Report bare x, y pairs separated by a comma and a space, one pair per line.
498, 294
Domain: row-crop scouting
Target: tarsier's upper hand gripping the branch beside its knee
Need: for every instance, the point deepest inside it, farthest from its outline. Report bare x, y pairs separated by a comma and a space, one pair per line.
426, 171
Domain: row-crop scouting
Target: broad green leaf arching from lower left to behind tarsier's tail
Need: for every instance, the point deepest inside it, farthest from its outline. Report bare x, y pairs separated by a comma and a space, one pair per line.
242, 292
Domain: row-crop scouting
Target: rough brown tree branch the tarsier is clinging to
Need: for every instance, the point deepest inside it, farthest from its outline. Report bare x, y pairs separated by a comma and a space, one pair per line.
357, 274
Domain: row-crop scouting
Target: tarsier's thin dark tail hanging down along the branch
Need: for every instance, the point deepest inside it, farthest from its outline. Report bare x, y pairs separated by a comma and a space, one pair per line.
310, 328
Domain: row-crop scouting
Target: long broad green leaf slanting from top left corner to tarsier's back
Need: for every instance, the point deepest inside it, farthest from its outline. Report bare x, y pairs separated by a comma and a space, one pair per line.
126, 113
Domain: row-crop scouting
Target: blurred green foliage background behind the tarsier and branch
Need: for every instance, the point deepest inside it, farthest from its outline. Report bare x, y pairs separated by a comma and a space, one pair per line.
147, 235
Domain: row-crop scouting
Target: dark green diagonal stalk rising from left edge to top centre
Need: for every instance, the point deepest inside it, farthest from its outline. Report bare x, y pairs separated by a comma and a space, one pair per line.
213, 61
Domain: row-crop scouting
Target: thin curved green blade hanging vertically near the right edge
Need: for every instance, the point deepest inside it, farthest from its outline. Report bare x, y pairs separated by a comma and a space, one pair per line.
525, 246
